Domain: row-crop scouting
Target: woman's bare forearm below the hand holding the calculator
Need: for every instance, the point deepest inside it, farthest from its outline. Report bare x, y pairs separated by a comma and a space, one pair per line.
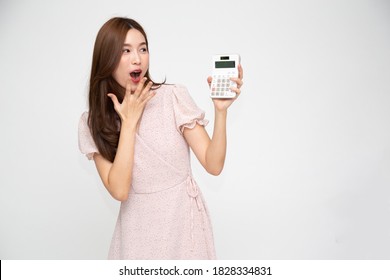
216, 151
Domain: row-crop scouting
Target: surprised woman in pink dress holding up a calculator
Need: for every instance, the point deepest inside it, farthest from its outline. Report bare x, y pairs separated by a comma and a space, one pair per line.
138, 133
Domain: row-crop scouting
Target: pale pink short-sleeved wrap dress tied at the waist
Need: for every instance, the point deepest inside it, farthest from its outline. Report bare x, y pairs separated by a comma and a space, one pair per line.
165, 216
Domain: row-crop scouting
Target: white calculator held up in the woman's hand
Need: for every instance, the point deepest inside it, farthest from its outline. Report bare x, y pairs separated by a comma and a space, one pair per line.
224, 67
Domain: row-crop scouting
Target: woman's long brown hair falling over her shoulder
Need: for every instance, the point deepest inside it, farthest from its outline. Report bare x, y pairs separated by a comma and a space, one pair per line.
103, 121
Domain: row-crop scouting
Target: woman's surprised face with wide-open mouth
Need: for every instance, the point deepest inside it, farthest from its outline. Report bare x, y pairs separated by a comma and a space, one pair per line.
134, 62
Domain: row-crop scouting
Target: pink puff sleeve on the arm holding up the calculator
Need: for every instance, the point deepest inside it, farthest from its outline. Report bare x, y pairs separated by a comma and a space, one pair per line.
187, 113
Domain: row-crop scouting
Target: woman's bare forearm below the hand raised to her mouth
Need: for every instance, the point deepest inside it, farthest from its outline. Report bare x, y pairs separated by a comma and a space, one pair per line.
120, 175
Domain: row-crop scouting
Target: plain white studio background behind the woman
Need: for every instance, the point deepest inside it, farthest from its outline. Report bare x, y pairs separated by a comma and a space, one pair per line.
307, 174
